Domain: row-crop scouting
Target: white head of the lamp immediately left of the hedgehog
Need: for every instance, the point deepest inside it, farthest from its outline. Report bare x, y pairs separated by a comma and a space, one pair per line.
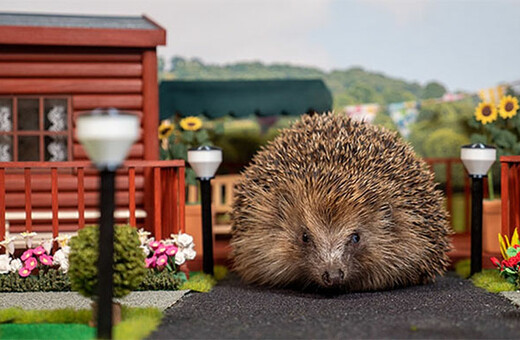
205, 161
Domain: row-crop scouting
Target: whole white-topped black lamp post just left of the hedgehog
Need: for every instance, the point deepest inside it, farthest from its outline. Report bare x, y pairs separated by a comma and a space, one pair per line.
205, 161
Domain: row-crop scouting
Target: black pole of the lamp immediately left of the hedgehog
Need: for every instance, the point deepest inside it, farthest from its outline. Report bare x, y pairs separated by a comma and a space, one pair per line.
207, 229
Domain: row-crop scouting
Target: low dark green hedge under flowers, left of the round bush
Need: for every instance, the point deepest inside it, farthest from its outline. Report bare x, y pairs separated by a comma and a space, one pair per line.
45, 281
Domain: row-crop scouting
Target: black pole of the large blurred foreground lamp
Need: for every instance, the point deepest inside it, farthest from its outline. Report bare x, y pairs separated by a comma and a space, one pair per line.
106, 255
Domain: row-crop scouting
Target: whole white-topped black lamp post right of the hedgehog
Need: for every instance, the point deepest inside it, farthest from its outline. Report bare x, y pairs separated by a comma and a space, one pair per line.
477, 159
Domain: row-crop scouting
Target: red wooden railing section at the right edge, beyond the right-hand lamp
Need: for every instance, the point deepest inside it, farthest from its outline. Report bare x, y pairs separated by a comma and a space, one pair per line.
510, 193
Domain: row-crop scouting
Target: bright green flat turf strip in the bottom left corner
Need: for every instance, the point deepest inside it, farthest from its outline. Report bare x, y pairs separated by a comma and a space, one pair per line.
55, 331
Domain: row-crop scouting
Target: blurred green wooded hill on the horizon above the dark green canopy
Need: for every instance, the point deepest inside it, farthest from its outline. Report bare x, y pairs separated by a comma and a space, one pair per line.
350, 86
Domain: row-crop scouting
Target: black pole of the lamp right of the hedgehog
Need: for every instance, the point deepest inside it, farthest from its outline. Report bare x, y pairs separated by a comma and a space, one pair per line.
476, 223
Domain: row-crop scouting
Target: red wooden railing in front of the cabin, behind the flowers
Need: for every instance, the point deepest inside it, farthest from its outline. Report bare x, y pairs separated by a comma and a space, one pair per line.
61, 192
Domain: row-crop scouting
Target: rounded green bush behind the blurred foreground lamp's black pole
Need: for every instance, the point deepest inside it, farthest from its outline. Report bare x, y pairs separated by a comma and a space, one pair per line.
129, 267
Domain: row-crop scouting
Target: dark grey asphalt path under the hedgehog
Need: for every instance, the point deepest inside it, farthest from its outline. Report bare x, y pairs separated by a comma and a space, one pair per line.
450, 308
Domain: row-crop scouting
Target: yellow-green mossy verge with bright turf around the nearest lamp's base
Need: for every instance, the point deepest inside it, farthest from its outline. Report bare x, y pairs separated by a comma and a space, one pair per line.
17, 323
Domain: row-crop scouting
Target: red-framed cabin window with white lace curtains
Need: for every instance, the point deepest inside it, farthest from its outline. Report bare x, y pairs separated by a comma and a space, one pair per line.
35, 129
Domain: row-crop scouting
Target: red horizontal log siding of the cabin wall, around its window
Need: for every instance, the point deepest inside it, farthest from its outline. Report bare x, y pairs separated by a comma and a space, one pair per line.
124, 78
